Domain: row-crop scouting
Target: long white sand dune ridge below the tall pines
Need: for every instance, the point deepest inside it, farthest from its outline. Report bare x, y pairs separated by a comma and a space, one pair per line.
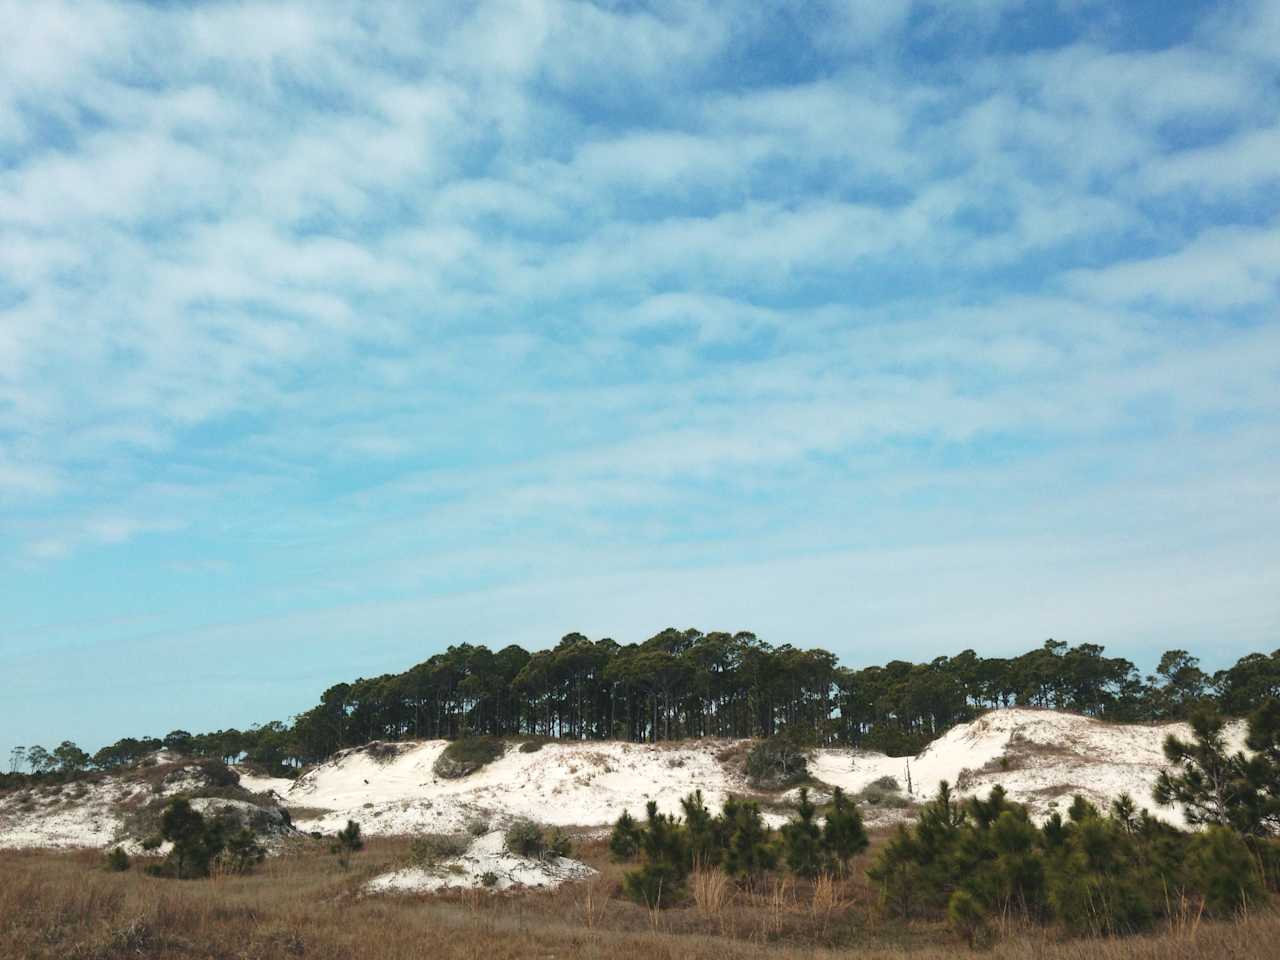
1040, 757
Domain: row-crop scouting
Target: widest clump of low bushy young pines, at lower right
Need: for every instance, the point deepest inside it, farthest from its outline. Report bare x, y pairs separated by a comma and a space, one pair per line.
1092, 875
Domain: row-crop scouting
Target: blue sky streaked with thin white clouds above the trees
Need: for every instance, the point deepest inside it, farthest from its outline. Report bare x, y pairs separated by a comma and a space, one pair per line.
332, 335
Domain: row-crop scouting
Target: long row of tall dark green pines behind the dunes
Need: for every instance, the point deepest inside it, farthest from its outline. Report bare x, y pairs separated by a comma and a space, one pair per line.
683, 684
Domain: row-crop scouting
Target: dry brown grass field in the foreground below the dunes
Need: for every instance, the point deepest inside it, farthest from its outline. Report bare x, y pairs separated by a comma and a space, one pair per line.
303, 904
